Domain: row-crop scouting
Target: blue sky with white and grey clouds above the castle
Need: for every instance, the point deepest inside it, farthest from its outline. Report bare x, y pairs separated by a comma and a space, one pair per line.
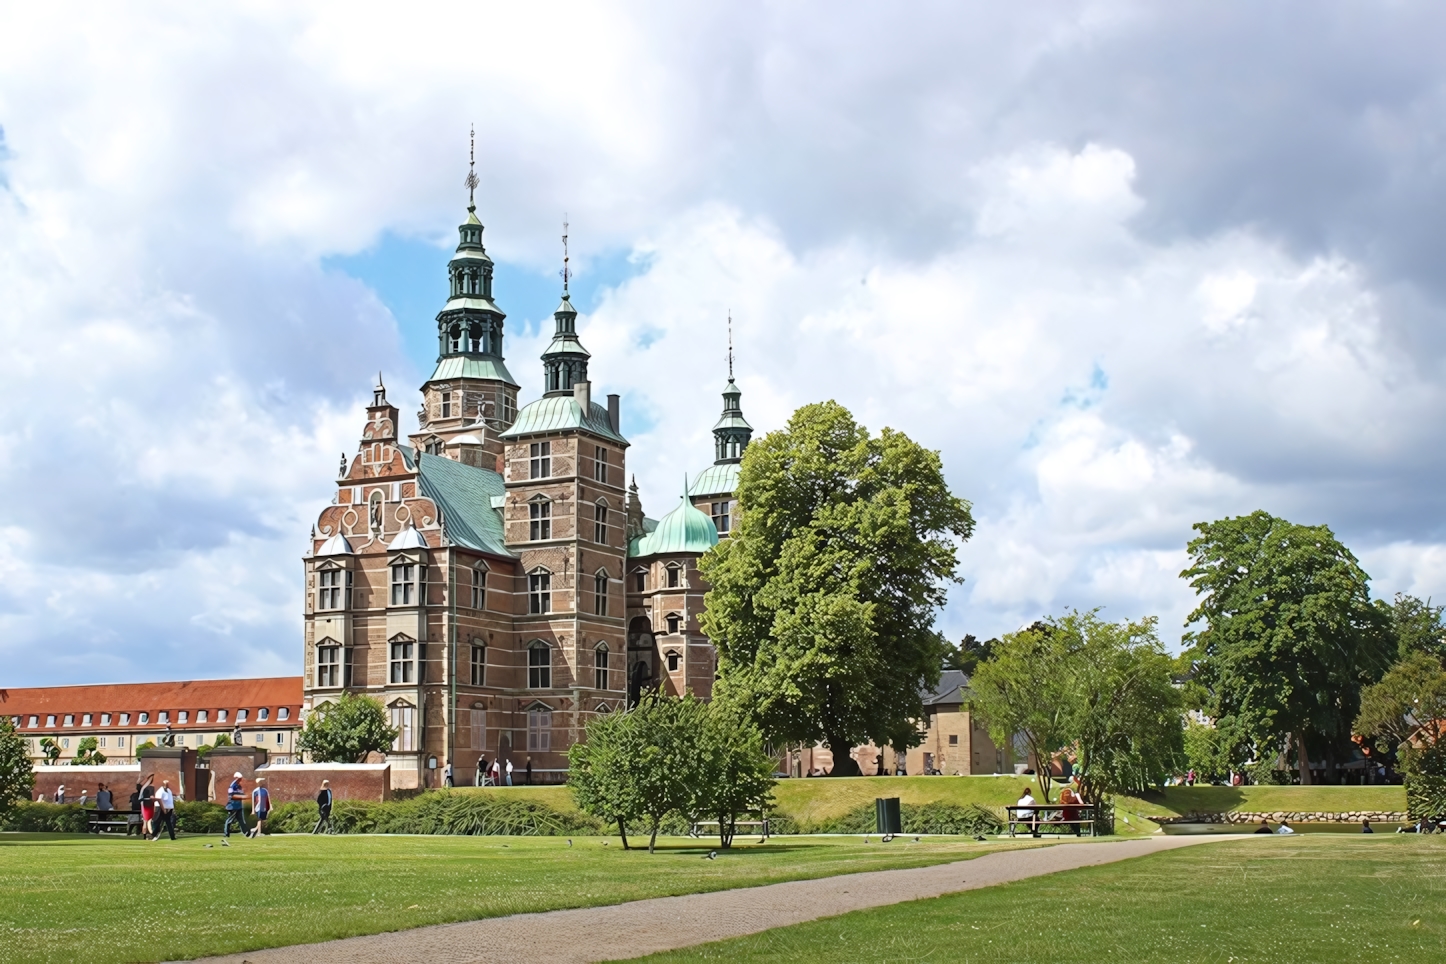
1127, 267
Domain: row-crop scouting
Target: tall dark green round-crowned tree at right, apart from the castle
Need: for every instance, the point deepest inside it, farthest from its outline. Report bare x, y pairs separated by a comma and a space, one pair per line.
1288, 634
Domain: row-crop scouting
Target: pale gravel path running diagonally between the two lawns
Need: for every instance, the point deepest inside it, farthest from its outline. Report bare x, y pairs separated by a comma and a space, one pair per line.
662, 924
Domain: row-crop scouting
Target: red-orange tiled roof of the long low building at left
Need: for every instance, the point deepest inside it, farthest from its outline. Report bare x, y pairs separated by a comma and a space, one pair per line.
153, 697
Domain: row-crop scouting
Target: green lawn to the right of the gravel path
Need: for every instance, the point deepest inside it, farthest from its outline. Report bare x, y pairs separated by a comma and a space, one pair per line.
1275, 901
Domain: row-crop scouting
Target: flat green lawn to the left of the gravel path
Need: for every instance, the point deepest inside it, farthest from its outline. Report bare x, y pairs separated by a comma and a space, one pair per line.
72, 898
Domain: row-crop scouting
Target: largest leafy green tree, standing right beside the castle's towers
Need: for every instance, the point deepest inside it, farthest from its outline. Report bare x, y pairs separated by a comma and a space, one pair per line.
823, 599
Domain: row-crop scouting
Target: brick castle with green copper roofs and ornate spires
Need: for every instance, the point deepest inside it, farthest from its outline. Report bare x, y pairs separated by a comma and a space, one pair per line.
491, 580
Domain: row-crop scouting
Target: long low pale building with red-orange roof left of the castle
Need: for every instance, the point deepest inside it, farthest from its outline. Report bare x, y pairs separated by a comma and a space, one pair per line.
254, 713
